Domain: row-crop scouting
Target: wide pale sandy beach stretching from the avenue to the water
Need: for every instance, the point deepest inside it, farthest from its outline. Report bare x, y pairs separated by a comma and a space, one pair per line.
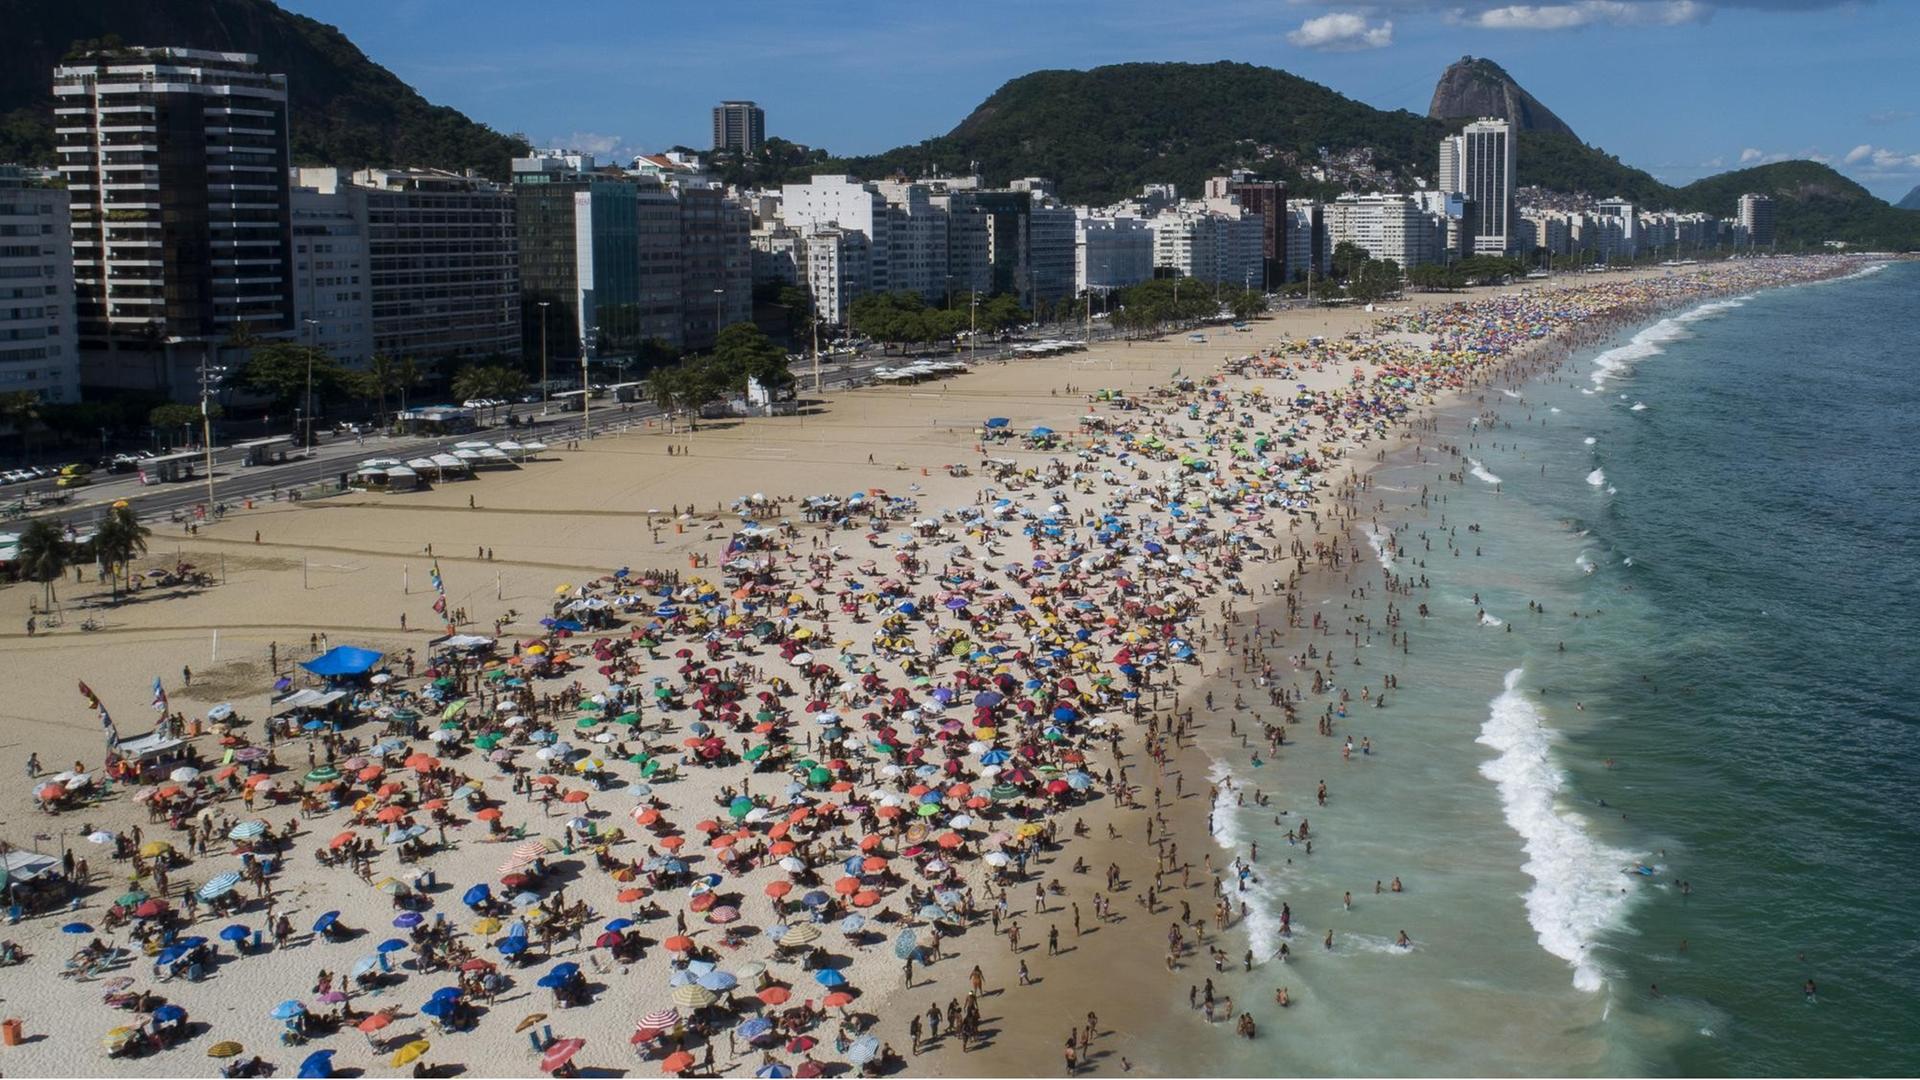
1053, 574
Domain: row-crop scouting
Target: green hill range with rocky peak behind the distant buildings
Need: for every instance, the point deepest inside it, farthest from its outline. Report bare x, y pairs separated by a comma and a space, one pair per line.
1105, 134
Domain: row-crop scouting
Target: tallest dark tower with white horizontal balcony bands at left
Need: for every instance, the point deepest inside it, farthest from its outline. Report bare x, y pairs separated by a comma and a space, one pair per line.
176, 164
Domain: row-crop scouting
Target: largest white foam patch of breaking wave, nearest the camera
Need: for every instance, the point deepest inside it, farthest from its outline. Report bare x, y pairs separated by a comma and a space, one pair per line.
1577, 881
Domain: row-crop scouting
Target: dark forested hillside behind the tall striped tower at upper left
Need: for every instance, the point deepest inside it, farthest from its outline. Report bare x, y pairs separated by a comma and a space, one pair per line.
347, 110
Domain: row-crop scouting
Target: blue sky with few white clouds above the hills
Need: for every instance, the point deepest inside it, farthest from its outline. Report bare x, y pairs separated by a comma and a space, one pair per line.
1677, 87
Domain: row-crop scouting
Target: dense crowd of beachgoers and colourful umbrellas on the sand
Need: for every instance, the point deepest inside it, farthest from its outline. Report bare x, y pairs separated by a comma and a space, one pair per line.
853, 739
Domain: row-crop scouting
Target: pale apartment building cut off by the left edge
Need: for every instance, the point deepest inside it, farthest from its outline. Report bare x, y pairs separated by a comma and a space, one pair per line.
37, 345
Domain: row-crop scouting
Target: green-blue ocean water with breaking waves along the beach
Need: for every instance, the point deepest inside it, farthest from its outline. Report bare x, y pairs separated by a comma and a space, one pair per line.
1673, 606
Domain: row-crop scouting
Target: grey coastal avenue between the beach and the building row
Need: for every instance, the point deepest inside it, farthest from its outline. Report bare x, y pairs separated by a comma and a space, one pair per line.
331, 458
